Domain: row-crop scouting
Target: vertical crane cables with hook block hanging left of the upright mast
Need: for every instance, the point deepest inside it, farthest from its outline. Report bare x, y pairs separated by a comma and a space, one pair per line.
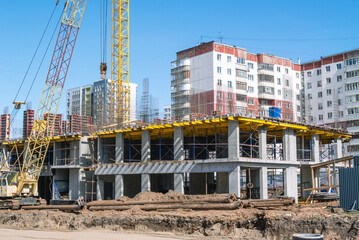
103, 37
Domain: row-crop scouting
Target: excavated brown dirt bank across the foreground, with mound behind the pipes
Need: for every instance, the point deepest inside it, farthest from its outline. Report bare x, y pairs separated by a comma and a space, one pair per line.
244, 223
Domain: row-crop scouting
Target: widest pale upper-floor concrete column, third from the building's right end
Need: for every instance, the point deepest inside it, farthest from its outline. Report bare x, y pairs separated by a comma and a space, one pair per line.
289, 145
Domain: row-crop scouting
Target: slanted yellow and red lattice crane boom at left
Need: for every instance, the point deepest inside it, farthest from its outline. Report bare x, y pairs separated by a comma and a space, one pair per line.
39, 139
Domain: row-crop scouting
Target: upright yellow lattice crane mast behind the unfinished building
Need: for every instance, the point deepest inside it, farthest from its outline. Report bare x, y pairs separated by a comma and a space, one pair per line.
120, 105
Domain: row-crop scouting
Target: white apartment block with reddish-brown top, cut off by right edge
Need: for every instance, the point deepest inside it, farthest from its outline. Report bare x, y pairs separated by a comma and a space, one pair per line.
331, 94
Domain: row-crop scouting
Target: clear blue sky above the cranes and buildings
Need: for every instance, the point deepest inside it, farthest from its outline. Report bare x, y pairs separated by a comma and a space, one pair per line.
160, 28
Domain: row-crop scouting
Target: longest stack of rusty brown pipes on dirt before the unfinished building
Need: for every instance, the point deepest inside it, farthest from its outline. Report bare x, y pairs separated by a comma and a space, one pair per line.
198, 202
